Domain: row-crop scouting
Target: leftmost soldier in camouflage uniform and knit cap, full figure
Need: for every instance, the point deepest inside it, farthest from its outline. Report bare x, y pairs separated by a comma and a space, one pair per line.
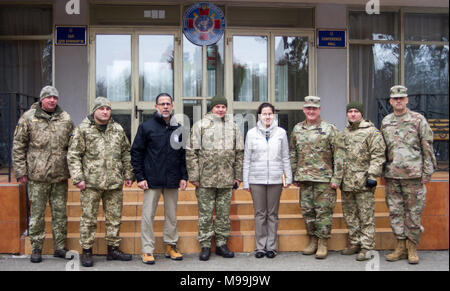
39, 159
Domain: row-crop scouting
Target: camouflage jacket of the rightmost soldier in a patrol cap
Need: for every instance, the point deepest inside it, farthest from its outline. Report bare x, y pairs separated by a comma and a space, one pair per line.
409, 142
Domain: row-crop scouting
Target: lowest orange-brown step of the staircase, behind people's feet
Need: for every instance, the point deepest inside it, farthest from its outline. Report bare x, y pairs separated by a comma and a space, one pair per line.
239, 241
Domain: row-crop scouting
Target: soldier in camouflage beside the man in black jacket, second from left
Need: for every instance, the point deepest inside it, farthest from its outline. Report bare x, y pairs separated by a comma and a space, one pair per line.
99, 163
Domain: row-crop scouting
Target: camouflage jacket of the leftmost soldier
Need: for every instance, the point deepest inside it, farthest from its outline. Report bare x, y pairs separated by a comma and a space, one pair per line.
40, 145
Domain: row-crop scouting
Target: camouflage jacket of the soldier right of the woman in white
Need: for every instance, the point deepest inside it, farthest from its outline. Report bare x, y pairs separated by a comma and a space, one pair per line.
312, 150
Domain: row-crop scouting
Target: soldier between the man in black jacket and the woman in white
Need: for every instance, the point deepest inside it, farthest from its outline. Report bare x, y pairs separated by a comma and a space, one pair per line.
214, 161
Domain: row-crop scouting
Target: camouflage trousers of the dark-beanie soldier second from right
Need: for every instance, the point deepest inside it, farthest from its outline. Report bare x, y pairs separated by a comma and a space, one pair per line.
359, 215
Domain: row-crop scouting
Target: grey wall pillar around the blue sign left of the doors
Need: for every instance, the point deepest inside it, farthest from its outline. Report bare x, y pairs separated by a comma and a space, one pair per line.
71, 64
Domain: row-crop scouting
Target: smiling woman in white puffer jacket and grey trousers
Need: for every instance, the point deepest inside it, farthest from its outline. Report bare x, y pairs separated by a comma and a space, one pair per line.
266, 159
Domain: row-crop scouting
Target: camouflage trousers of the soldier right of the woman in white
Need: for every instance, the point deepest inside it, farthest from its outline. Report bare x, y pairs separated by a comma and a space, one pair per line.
317, 201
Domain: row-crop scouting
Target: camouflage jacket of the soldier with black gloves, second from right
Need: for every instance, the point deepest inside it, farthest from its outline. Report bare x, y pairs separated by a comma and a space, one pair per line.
363, 154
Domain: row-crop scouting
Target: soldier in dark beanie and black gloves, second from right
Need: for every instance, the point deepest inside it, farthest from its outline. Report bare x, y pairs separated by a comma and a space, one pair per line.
363, 152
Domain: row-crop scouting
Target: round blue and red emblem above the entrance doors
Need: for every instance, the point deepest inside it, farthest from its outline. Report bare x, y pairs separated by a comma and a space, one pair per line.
203, 23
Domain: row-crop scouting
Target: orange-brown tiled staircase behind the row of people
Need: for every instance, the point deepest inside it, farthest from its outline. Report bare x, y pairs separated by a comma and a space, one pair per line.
291, 228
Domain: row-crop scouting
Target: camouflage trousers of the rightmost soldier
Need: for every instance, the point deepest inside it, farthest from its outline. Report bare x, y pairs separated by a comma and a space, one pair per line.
406, 201
